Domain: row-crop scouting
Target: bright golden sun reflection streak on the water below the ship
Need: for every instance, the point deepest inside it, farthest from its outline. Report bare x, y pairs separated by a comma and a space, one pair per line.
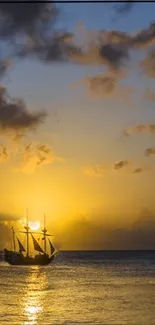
34, 297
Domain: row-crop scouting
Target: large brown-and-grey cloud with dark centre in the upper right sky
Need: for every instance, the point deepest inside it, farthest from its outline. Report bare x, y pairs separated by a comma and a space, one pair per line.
112, 48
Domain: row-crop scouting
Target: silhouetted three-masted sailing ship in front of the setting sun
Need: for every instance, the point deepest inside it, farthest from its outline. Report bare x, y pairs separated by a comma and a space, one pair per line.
23, 257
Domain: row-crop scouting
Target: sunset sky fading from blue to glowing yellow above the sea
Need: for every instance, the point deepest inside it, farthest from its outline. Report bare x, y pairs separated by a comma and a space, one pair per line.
87, 166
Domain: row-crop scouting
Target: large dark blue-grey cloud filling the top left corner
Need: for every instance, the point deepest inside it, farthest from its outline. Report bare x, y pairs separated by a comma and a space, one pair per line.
30, 29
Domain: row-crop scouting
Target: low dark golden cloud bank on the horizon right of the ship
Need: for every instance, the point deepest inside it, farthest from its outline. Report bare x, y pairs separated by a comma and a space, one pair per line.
88, 233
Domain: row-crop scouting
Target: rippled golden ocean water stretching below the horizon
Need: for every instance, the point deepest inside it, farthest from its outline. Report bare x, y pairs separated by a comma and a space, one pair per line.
80, 287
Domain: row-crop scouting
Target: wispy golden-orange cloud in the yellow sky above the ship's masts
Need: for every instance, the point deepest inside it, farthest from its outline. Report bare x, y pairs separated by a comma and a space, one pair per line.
34, 156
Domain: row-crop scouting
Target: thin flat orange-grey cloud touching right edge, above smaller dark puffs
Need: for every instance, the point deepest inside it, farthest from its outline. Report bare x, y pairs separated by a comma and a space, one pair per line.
140, 129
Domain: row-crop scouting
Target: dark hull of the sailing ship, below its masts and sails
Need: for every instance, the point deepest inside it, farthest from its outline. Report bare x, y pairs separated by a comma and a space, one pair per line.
14, 258
